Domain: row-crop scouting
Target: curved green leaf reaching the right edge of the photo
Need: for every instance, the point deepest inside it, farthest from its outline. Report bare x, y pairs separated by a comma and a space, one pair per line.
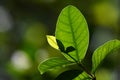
101, 52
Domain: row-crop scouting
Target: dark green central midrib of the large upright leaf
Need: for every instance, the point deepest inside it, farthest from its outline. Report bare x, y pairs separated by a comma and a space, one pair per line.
71, 27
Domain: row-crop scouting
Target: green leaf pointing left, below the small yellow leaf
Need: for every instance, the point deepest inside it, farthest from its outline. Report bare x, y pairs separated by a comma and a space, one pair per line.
52, 63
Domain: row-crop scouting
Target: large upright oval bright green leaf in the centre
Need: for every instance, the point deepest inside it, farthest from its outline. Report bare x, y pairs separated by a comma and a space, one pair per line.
72, 30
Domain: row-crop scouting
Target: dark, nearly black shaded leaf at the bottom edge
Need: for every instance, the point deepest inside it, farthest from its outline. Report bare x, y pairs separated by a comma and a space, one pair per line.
68, 75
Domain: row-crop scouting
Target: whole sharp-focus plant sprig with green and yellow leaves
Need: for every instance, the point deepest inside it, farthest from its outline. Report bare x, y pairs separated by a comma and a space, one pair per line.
72, 39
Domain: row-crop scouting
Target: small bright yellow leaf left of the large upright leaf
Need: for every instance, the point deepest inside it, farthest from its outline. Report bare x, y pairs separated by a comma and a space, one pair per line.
52, 41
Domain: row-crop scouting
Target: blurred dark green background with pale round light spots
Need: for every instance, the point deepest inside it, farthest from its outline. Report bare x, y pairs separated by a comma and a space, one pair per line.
24, 25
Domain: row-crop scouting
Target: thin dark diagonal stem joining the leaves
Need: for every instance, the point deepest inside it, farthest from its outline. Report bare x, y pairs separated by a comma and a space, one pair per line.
83, 67
